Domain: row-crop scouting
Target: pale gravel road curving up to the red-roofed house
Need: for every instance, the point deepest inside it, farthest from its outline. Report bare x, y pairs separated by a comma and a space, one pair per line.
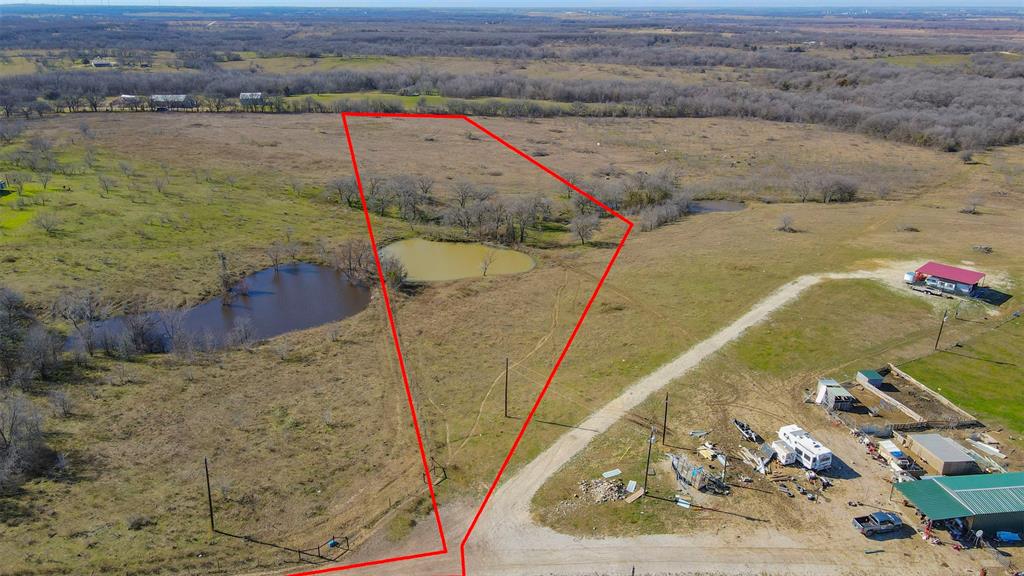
508, 544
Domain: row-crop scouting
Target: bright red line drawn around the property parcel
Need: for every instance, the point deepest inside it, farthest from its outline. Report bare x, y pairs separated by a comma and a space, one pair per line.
398, 347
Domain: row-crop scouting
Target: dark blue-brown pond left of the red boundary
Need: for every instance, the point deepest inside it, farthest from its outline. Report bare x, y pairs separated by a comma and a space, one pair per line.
270, 303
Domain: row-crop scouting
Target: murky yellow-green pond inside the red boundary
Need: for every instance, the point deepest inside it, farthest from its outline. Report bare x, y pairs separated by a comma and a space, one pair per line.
426, 261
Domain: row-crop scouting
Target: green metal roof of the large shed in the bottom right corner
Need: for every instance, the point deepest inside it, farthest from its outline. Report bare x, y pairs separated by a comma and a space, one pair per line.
989, 503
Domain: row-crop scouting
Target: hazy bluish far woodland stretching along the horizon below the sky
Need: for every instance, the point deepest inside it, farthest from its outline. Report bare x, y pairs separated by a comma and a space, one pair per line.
504, 34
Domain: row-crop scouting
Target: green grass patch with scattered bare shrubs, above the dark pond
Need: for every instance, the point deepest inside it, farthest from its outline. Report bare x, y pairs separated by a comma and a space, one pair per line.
135, 235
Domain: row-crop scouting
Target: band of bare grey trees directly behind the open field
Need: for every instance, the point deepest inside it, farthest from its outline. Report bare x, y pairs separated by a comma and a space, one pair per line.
927, 107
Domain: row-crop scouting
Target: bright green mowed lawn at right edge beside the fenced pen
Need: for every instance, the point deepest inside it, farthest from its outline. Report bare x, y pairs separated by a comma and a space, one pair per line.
985, 376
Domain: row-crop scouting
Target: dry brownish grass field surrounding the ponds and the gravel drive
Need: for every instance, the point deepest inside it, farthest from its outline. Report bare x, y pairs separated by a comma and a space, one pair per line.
309, 433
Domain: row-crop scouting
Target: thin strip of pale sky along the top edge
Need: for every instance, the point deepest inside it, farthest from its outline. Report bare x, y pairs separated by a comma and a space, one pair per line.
574, 5
